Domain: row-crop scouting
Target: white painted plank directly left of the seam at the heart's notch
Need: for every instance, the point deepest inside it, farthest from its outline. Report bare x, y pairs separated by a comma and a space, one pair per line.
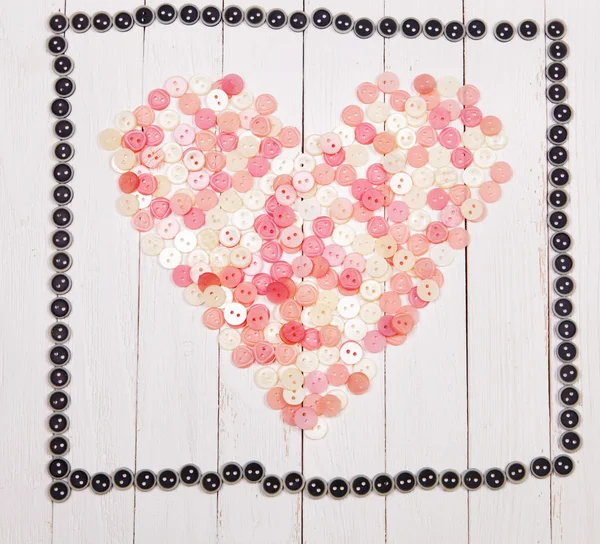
269, 61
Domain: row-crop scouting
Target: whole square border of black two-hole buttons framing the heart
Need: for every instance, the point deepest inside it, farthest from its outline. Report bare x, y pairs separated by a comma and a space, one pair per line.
65, 479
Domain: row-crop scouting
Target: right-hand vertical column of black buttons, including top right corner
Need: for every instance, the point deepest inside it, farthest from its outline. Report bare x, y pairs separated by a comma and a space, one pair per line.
560, 240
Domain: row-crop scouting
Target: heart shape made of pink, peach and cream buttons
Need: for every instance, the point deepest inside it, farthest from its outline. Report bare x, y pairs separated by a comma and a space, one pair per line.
307, 262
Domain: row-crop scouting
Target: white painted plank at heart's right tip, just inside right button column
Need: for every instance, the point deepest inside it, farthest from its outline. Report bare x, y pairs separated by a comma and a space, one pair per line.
508, 287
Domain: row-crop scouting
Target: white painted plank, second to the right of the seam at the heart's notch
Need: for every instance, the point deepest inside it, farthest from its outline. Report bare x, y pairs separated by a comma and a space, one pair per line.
426, 377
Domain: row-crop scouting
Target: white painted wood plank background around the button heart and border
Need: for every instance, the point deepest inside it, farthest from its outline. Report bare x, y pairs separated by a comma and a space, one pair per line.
470, 387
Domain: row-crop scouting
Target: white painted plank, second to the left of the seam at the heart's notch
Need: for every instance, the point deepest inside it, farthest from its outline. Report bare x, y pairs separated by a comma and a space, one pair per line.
178, 356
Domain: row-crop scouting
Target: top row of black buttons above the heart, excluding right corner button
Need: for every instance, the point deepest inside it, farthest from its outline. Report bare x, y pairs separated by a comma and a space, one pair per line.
298, 21
